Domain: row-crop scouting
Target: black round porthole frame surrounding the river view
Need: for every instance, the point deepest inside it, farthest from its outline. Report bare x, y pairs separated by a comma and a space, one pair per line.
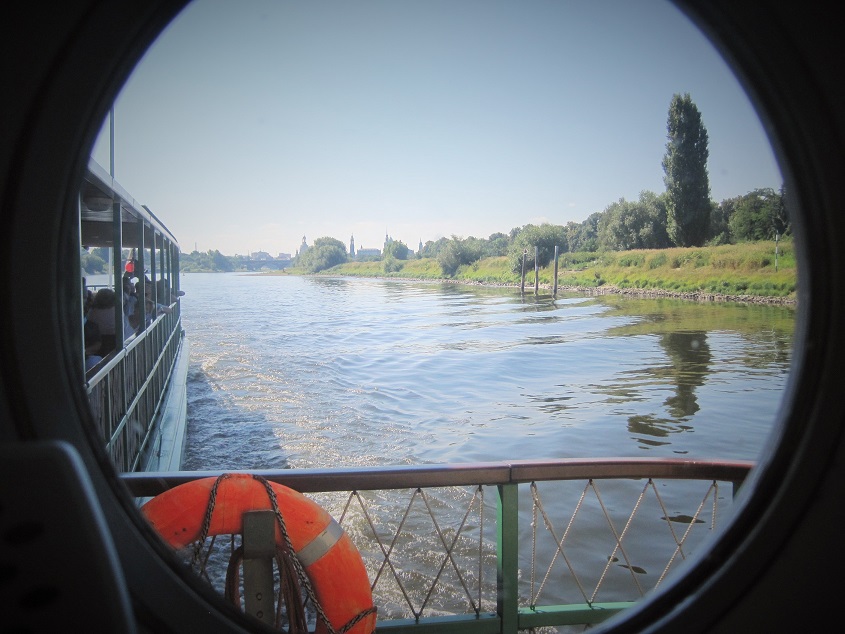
68, 70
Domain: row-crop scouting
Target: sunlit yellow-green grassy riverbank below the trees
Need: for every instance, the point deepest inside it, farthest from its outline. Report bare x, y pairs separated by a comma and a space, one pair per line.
742, 271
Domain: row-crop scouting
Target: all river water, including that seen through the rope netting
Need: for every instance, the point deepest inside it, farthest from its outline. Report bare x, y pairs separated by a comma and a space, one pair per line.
314, 372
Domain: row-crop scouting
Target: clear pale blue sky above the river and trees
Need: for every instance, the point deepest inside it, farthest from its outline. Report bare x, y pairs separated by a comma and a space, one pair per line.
250, 125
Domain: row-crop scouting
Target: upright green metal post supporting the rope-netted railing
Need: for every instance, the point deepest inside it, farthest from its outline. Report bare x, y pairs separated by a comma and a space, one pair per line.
507, 551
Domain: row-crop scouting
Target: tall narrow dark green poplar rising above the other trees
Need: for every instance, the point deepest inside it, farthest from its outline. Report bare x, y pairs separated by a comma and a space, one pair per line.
685, 174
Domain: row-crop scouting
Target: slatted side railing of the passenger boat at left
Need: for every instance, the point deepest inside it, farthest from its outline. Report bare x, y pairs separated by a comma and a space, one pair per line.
127, 391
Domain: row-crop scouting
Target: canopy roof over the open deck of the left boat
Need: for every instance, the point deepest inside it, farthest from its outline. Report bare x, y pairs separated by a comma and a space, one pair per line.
139, 225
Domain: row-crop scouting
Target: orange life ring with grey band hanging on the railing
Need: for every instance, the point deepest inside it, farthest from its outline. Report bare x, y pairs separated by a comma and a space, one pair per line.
328, 556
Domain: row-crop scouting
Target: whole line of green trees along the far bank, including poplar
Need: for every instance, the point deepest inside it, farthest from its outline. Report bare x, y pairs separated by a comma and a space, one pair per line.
682, 216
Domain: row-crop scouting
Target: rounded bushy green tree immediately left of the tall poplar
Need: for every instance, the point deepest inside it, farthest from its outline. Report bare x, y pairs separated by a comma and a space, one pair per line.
628, 225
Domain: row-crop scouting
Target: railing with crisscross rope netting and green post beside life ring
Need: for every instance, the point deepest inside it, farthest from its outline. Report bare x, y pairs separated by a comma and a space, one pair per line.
502, 547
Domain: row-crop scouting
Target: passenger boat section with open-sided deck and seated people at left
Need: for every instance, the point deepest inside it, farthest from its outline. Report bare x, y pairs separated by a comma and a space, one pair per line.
137, 391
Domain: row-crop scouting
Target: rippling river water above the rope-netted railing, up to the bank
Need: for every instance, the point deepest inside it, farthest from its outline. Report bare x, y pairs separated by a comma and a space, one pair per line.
293, 371
